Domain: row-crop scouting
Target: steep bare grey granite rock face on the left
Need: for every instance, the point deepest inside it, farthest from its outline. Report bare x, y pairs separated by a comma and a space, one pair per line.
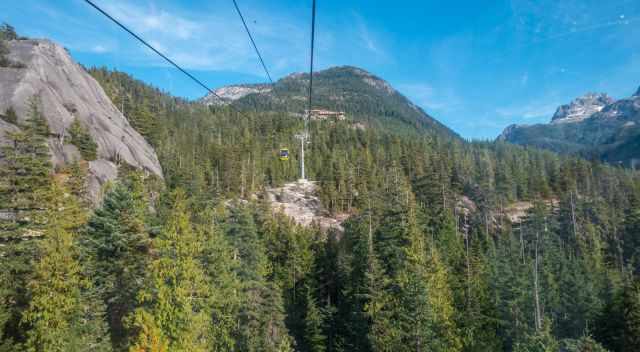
65, 92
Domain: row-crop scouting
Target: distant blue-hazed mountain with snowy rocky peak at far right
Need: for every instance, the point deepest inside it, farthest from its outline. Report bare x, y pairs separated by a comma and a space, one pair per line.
594, 126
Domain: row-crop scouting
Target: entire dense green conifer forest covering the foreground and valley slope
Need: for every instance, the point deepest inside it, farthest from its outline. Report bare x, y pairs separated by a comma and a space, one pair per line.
428, 260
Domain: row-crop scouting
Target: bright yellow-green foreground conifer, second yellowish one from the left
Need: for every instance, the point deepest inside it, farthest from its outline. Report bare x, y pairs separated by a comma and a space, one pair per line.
175, 298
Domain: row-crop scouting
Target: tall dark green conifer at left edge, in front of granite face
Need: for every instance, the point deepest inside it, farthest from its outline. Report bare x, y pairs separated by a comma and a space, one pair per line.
26, 197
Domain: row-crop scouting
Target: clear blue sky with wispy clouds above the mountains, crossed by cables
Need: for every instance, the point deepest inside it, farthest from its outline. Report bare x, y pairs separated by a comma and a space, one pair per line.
475, 65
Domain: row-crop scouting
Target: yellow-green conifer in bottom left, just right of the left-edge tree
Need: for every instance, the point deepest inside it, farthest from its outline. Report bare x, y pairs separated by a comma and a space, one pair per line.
61, 315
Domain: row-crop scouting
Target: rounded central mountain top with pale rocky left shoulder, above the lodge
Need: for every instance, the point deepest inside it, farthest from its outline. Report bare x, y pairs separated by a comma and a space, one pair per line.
361, 95
